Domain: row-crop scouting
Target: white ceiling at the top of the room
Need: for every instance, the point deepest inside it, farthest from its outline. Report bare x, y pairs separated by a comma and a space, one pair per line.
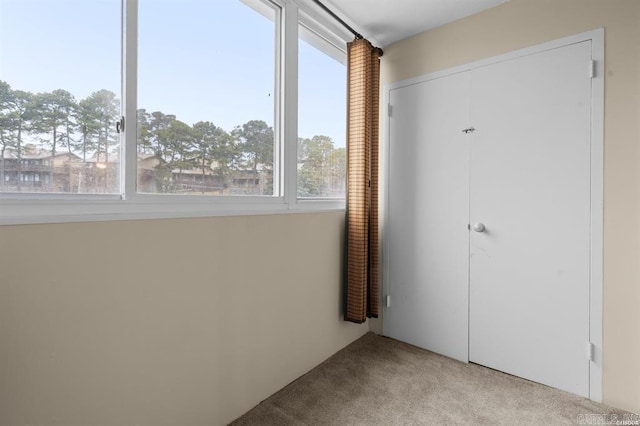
387, 21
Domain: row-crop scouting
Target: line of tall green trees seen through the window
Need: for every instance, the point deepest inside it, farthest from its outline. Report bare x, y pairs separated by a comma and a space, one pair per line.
56, 121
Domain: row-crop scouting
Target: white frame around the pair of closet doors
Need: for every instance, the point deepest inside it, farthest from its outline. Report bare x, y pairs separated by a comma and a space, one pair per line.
597, 182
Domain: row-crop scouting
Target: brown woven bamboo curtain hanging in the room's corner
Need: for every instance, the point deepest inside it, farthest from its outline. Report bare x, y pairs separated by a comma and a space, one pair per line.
362, 244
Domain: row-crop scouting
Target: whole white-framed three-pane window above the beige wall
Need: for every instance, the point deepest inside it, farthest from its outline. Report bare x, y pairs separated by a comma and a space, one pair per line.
167, 108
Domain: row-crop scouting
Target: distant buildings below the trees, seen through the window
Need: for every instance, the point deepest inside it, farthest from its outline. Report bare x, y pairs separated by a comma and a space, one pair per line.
36, 170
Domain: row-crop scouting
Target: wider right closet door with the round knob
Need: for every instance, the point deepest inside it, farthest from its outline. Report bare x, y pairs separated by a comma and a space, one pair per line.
530, 188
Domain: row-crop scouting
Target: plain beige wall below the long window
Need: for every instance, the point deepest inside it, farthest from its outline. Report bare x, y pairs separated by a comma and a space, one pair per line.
164, 322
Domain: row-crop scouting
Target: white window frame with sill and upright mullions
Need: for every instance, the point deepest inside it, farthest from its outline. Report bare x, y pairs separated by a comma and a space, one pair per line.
57, 208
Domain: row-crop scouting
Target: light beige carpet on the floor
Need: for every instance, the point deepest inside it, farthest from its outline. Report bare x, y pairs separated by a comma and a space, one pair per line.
381, 381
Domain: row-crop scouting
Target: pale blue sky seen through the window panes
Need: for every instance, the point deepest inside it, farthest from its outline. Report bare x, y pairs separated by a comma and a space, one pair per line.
201, 60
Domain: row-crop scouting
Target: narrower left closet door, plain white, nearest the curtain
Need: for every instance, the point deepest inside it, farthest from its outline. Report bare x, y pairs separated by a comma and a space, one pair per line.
428, 211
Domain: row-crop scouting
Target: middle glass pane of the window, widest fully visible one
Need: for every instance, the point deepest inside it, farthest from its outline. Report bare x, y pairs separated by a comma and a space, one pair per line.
206, 97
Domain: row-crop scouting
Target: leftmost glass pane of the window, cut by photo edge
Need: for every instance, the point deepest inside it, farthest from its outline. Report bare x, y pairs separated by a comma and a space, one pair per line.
59, 96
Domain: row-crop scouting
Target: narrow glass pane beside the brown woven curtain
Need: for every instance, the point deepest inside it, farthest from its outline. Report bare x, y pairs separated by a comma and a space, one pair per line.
321, 118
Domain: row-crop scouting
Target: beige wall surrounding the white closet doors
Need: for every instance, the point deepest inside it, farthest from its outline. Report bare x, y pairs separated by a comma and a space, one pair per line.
521, 23
